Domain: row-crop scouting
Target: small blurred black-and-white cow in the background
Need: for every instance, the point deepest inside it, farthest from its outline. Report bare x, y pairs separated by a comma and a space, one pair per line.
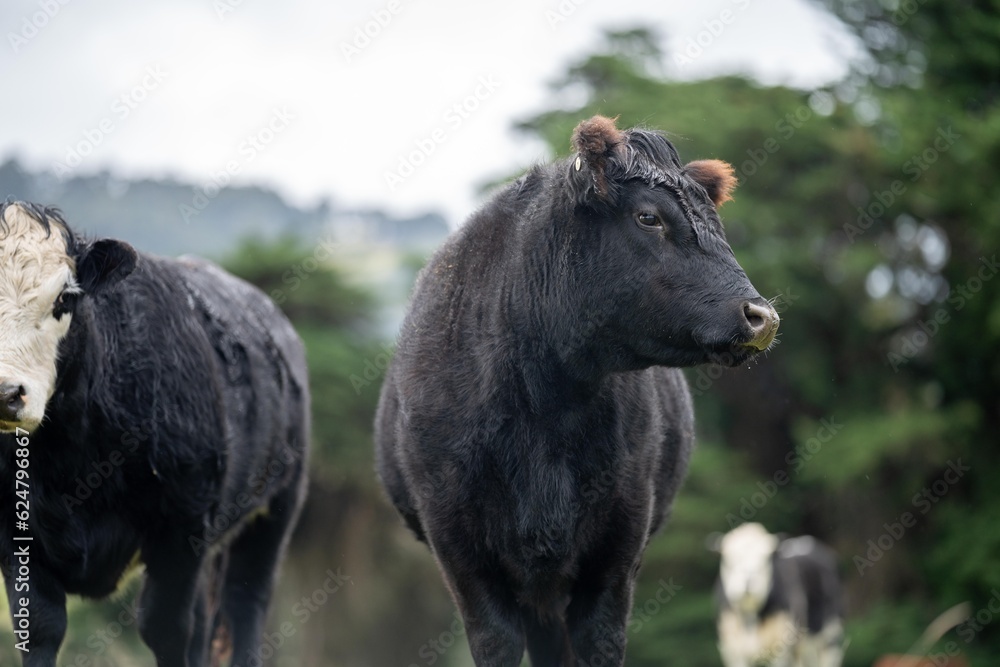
779, 601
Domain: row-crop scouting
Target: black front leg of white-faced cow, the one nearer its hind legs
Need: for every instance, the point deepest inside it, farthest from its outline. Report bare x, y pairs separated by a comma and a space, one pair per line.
168, 600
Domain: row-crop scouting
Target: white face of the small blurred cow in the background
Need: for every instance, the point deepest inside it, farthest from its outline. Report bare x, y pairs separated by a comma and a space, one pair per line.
746, 566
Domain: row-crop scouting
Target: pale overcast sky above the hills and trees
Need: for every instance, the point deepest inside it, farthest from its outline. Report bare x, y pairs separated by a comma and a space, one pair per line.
290, 96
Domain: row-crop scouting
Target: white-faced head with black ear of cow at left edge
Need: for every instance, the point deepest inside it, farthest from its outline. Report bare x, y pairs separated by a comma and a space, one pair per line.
45, 270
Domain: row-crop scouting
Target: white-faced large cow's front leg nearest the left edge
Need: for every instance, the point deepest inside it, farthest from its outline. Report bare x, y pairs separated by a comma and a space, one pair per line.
38, 610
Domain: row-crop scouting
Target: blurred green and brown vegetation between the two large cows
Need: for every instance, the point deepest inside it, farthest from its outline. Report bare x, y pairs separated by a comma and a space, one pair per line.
347, 527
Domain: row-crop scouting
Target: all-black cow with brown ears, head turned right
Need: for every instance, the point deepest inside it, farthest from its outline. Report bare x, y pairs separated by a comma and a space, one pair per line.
533, 427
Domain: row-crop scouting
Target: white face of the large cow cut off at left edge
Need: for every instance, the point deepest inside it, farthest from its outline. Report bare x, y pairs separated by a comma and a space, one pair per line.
34, 271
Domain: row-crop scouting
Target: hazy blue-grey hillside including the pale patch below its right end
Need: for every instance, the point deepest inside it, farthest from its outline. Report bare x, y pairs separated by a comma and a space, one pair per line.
169, 217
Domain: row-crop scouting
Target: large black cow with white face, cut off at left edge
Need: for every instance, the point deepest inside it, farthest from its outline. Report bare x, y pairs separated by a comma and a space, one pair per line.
166, 411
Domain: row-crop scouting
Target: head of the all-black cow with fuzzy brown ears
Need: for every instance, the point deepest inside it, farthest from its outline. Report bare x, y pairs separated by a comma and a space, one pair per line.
660, 251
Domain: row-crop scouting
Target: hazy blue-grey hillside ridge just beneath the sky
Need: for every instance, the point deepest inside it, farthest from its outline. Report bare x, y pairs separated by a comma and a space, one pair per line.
171, 217
